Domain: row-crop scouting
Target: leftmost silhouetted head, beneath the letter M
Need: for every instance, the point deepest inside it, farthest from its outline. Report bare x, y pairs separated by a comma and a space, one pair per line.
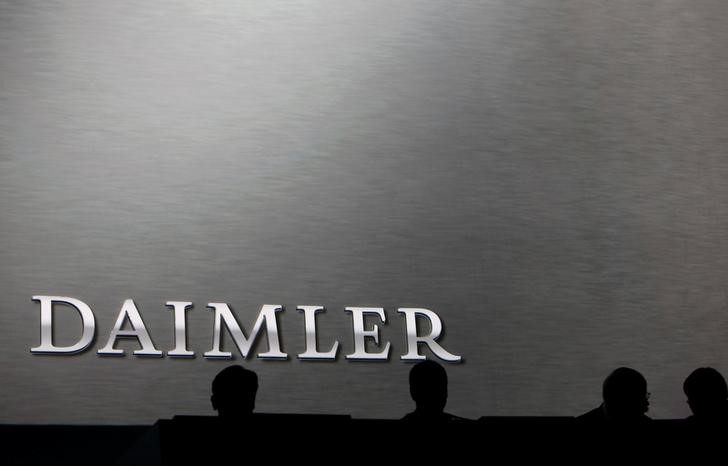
233, 392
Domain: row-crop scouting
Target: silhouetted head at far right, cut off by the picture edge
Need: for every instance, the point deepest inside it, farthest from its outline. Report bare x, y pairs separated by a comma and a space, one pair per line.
706, 391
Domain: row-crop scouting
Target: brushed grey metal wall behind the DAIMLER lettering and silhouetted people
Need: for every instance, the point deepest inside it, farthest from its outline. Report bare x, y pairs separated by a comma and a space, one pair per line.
547, 175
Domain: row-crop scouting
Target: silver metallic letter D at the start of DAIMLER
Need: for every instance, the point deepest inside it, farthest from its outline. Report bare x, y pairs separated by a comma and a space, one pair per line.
46, 326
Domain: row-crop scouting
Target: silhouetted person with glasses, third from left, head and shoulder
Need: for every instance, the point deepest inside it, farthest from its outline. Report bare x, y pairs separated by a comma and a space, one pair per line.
625, 400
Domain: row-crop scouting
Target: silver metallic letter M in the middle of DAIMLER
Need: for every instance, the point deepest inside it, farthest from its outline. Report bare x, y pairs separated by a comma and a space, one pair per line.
267, 315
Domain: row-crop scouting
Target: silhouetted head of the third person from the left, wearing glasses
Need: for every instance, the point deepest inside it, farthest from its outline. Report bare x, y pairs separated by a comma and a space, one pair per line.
625, 394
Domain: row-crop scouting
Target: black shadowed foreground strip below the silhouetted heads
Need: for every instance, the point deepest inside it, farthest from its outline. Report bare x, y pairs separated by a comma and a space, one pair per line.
211, 440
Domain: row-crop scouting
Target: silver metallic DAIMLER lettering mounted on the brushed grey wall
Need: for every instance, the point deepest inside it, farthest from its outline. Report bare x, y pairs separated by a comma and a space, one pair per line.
223, 316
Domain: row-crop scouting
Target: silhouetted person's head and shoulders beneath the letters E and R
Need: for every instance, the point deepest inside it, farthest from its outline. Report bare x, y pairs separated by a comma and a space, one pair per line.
428, 388
